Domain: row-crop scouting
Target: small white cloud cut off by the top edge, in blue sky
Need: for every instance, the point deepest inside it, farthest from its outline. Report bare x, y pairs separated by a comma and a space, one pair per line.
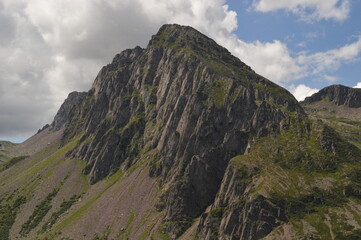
307, 10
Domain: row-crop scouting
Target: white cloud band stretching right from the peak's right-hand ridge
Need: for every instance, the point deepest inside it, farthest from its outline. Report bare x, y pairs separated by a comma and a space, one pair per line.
275, 61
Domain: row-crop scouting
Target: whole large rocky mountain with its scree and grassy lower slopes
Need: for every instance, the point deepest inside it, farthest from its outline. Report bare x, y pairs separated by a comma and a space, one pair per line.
182, 140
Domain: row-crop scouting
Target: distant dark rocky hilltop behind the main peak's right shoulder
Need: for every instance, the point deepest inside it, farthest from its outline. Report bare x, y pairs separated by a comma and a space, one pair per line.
339, 95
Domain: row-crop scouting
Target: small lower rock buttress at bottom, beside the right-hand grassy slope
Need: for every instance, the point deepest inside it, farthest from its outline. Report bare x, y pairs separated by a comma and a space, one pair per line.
236, 214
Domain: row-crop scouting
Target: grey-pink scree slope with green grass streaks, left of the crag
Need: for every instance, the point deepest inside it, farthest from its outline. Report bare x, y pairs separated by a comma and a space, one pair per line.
46, 196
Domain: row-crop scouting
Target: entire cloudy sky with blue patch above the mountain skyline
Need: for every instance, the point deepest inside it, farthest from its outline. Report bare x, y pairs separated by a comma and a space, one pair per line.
49, 48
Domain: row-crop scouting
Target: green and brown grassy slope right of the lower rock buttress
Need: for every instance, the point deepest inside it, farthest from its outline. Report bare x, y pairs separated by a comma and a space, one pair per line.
312, 191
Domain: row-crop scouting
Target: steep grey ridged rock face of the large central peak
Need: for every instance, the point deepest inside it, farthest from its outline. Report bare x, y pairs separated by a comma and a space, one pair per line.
194, 106
